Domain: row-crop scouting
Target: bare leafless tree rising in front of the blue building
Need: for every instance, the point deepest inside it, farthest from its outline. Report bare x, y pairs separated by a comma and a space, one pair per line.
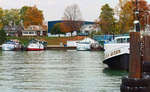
72, 18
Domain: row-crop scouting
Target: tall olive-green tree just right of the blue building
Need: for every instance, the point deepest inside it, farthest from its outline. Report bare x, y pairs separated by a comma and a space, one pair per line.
107, 20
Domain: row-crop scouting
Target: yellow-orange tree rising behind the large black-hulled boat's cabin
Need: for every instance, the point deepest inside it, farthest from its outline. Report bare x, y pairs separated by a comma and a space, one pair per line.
126, 17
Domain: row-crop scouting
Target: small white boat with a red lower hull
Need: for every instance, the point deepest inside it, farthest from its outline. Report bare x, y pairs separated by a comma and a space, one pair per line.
35, 45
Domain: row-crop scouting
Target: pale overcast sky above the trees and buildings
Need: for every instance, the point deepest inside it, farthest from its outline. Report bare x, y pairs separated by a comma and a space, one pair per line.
54, 9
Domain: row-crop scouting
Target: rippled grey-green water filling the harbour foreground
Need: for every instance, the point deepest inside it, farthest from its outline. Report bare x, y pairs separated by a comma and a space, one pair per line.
56, 71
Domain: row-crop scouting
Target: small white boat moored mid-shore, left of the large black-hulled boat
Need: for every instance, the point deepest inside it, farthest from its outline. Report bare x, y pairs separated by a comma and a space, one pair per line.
83, 46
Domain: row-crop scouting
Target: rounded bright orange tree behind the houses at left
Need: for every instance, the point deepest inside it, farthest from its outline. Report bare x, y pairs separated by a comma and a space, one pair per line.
33, 16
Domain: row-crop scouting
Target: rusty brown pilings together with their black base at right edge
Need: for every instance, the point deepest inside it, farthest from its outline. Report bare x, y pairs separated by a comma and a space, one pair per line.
139, 78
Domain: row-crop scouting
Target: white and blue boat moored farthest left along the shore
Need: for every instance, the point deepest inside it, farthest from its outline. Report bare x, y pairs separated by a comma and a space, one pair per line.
11, 45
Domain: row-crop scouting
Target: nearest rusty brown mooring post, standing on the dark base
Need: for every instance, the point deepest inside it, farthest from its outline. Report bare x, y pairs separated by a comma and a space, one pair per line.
135, 57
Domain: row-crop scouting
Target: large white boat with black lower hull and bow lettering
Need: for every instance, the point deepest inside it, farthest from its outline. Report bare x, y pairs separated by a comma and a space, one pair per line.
117, 53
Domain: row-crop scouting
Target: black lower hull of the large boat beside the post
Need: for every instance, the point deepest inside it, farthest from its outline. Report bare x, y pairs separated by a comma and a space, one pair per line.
120, 62
